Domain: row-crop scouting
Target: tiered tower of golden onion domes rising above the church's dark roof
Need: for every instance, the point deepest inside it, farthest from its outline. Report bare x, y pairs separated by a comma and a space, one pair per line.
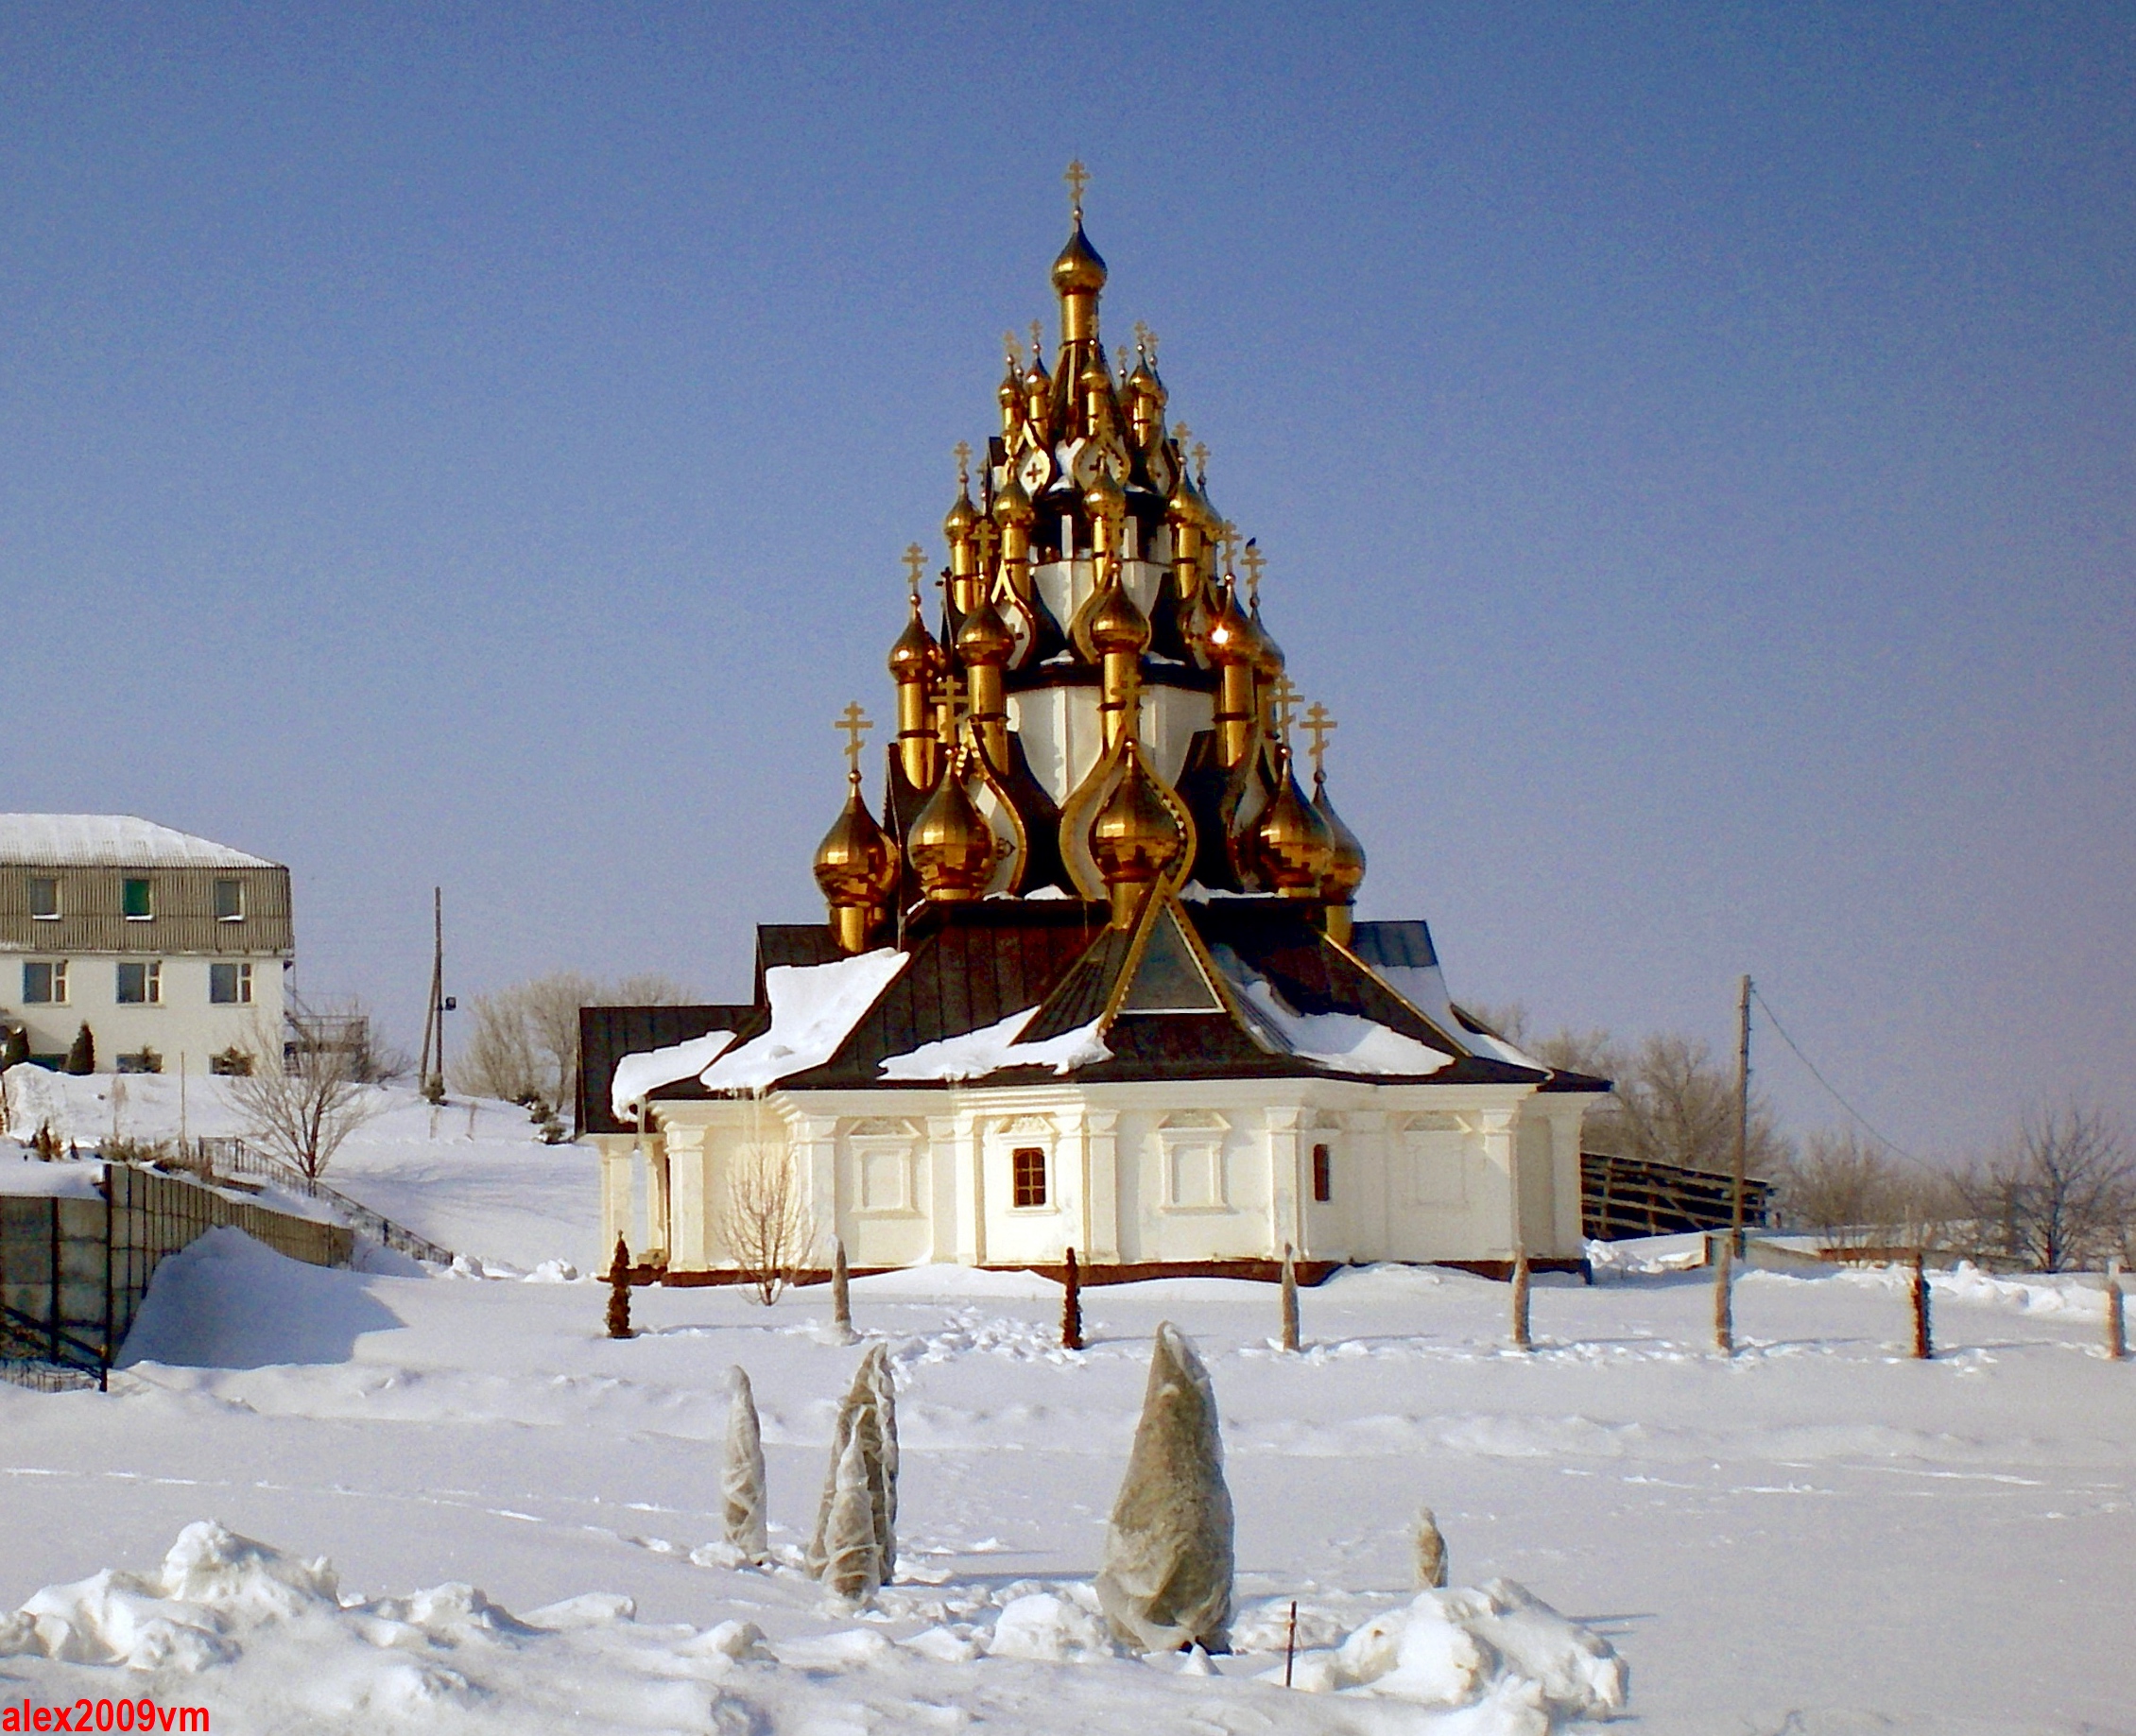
1090, 676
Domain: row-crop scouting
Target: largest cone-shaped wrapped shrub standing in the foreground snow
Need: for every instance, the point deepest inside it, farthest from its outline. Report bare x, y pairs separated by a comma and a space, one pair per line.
1167, 1553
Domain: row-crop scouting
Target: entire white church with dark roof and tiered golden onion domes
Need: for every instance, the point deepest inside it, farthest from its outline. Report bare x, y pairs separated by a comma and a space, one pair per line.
1090, 975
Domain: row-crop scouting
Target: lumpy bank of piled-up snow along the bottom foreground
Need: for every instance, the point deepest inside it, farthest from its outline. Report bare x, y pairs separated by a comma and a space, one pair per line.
272, 1643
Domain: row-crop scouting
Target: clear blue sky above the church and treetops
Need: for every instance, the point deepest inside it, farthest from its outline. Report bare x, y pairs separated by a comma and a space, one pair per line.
1695, 449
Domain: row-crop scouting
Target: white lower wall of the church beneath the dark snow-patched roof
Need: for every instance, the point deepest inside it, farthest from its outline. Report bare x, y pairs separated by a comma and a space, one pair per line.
1131, 1173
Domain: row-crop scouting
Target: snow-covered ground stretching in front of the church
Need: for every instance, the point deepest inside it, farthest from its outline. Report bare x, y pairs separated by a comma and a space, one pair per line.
1821, 1536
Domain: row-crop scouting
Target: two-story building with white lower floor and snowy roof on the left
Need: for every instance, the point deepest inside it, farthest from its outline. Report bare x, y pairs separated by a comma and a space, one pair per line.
168, 947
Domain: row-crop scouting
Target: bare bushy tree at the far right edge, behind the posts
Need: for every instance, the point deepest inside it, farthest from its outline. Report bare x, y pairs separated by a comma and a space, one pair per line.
2064, 1195
